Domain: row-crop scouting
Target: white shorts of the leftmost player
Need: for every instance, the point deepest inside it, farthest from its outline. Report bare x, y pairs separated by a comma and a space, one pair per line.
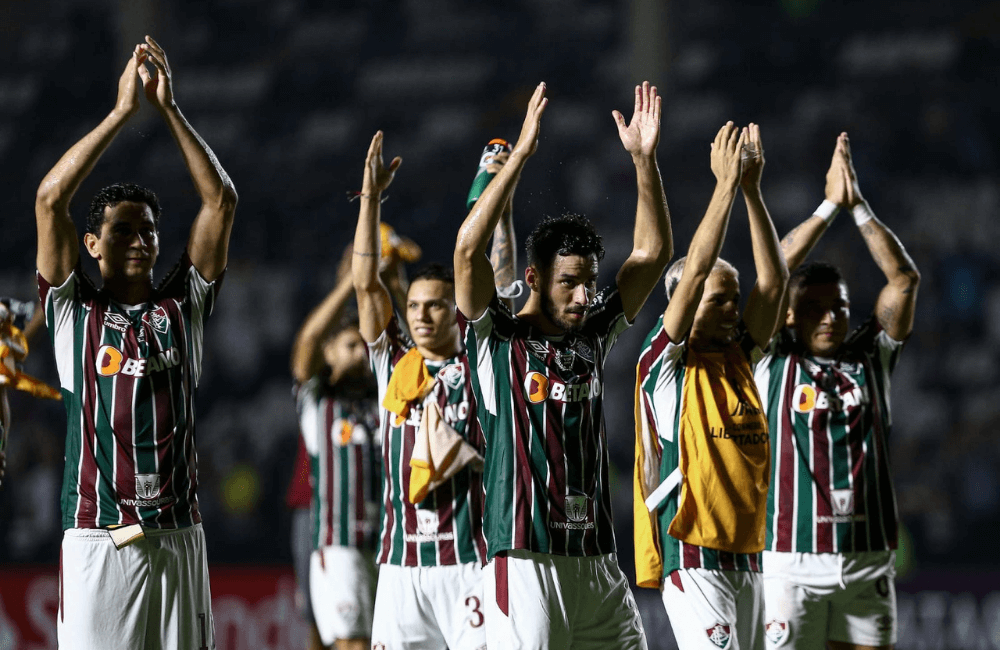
153, 594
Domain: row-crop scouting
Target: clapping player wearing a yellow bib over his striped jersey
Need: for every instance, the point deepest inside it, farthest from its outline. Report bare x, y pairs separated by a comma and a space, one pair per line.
701, 449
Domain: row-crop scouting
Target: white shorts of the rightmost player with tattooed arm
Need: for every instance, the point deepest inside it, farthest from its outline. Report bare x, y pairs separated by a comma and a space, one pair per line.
814, 597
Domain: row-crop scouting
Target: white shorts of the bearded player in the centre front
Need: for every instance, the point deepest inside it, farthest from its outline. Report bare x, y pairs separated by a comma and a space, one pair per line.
539, 601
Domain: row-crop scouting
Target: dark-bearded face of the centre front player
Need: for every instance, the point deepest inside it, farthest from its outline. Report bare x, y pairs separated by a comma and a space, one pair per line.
568, 288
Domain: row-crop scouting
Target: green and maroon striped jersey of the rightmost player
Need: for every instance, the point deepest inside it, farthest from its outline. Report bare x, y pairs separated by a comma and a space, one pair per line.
831, 488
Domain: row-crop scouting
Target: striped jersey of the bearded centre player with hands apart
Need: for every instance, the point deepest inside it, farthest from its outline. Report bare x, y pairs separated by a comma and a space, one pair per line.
540, 406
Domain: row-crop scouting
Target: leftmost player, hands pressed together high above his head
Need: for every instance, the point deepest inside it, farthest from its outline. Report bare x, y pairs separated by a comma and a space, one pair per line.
129, 358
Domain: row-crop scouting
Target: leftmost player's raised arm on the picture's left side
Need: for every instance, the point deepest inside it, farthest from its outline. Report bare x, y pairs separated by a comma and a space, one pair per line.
58, 245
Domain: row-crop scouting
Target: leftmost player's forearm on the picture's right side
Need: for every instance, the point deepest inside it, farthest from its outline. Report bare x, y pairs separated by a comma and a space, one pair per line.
211, 181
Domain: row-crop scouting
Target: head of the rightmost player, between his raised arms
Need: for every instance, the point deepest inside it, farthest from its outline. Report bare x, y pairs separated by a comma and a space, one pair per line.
819, 314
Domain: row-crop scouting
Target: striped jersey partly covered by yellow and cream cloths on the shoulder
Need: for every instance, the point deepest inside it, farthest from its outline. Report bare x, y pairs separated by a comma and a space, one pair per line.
447, 526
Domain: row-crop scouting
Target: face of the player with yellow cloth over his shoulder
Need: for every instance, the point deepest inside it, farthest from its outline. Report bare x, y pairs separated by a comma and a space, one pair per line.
431, 317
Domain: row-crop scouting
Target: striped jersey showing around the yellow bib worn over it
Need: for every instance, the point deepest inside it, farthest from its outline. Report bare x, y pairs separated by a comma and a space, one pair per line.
661, 368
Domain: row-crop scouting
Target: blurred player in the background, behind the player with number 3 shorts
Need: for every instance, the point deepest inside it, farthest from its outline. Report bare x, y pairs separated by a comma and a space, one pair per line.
338, 421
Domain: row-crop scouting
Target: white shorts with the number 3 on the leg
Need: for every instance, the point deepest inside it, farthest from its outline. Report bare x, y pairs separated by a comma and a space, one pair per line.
429, 608
